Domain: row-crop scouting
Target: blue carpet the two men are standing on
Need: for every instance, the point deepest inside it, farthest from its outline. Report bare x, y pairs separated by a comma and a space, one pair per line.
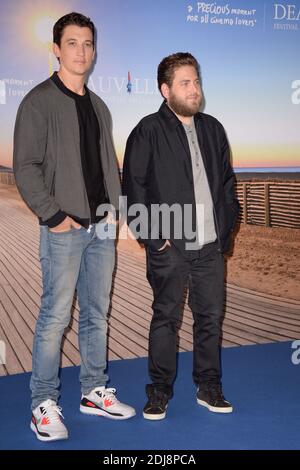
260, 380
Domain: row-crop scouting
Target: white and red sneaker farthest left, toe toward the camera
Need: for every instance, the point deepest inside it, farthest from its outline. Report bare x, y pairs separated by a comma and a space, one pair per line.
46, 422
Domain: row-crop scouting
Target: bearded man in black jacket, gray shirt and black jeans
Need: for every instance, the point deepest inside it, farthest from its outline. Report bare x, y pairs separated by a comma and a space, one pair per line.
179, 158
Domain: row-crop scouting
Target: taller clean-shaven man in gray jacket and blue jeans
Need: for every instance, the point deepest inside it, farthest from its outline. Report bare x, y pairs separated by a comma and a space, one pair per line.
66, 171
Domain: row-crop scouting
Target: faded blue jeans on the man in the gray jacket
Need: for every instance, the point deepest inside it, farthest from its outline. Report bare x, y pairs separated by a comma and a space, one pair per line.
71, 260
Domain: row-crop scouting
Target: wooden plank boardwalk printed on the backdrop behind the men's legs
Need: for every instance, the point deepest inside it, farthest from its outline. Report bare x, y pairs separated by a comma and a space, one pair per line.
250, 317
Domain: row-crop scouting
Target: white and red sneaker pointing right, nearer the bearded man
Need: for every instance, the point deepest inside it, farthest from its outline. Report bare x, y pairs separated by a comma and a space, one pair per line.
103, 402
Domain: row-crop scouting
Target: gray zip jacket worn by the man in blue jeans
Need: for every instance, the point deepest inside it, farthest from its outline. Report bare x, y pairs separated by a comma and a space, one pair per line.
47, 159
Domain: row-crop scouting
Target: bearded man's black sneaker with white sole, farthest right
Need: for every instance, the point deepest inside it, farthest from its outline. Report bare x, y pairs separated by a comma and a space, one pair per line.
212, 398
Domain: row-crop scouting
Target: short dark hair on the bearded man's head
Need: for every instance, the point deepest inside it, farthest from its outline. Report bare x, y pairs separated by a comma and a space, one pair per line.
167, 67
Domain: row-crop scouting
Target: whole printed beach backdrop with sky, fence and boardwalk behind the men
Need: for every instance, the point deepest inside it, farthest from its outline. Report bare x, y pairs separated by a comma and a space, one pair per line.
248, 52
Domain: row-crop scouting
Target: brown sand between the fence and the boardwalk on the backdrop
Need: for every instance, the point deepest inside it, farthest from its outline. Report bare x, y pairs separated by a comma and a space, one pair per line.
264, 259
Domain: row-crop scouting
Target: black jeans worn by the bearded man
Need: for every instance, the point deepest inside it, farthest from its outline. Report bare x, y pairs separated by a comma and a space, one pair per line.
168, 273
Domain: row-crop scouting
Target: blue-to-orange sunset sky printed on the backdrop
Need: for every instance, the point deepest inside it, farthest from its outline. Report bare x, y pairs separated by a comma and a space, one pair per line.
248, 51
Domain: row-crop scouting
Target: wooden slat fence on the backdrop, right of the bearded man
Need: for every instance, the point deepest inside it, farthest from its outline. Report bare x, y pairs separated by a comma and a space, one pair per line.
270, 203
